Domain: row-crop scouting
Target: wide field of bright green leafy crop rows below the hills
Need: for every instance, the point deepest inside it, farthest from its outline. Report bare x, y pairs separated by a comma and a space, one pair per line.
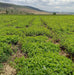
37, 44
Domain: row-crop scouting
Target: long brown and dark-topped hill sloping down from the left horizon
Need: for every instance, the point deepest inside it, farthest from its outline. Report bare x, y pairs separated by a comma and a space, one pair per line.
6, 8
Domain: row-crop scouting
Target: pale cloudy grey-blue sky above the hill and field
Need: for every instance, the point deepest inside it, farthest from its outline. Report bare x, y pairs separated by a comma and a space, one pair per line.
48, 5
